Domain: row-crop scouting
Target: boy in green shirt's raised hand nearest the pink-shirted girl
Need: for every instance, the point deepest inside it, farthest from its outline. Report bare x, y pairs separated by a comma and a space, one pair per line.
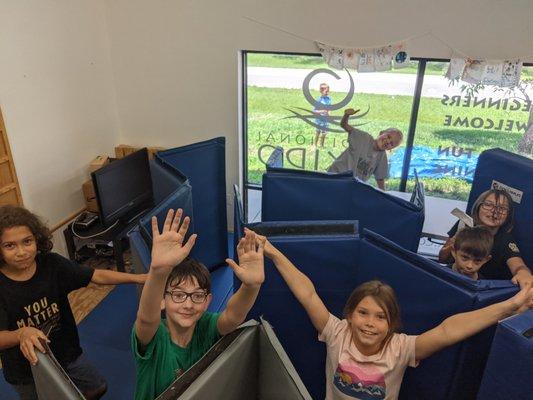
250, 270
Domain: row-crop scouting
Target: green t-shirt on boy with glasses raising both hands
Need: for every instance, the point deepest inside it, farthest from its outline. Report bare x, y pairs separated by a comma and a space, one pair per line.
163, 361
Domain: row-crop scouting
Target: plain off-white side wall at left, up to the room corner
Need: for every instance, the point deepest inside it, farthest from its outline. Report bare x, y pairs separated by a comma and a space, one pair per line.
57, 98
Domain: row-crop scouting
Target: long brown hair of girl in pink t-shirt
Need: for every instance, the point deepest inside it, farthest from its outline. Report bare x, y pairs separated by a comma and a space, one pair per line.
384, 295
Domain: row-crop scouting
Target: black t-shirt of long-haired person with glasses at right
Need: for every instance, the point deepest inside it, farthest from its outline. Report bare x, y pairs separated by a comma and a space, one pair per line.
503, 249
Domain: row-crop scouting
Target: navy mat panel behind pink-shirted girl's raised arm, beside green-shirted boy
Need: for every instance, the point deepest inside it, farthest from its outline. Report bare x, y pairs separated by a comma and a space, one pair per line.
330, 264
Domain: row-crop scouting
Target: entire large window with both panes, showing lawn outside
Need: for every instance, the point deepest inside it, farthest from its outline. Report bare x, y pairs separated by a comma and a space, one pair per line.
445, 126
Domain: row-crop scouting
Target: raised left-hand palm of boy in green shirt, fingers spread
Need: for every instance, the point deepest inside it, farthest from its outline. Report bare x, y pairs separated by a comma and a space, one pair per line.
168, 249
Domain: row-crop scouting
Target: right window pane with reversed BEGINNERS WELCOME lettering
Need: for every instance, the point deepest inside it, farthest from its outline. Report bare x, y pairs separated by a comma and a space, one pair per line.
454, 126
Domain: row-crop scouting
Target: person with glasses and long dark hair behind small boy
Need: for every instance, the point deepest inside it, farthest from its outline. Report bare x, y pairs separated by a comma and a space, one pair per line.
494, 209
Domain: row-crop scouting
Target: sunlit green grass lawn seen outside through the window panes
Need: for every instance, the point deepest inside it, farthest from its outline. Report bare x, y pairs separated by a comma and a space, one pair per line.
269, 126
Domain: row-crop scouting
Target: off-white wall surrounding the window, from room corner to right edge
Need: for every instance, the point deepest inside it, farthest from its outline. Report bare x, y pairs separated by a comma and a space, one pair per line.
176, 62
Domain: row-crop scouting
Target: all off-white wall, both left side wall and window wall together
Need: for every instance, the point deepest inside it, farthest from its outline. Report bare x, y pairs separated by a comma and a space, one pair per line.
173, 65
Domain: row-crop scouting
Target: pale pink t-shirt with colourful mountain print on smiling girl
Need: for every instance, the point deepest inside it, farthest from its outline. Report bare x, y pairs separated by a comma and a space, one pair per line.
351, 375
